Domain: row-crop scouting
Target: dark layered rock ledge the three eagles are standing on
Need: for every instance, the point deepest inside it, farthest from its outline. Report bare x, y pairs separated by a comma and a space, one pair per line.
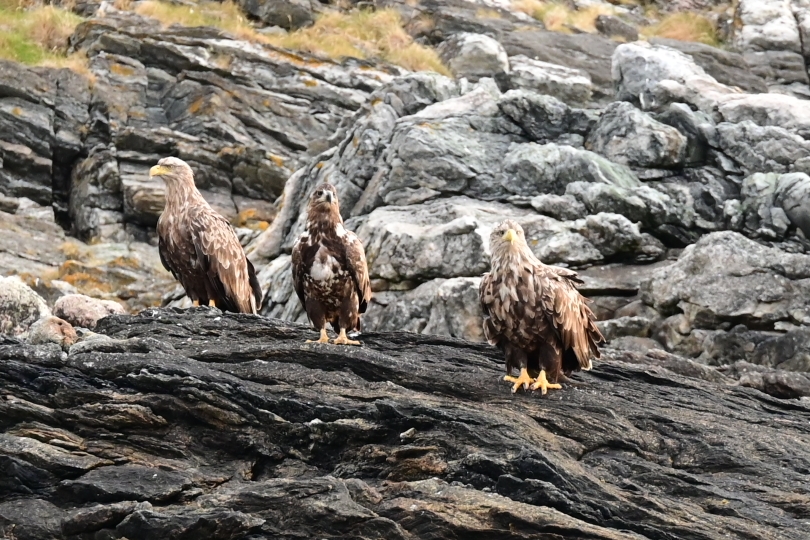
194, 424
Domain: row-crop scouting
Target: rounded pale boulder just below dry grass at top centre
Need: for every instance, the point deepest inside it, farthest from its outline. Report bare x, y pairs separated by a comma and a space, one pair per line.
474, 56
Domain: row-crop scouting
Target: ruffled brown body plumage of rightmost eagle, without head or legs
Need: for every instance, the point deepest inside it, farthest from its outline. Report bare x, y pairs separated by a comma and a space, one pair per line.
538, 306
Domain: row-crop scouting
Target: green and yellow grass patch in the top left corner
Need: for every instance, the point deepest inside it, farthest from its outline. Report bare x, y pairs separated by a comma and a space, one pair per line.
34, 35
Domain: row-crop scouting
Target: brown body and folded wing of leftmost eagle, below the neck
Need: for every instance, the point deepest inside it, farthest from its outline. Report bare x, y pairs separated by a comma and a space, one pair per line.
203, 252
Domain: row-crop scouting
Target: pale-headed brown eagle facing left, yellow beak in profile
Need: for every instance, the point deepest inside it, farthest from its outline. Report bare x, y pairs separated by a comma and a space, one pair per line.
199, 247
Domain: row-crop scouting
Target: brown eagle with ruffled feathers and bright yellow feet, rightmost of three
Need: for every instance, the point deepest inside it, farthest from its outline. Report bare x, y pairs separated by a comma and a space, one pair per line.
535, 314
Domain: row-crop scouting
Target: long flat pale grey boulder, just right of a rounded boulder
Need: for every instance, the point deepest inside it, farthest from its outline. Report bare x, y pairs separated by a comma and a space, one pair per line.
569, 85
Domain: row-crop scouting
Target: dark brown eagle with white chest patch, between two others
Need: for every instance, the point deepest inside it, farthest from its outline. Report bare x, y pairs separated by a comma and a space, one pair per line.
329, 268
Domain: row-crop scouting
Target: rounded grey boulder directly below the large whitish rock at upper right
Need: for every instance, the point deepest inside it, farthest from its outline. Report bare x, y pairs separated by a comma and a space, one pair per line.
629, 136
